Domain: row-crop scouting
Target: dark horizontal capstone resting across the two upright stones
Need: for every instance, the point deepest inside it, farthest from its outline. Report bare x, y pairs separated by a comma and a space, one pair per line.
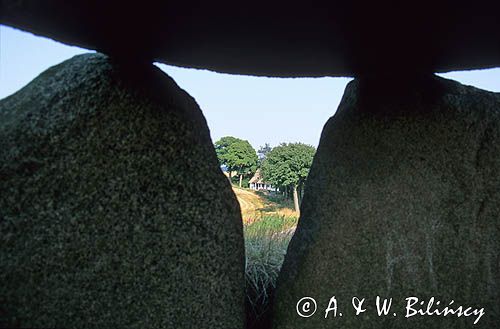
275, 38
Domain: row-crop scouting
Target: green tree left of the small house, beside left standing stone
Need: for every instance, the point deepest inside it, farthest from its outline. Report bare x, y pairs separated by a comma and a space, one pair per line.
236, 155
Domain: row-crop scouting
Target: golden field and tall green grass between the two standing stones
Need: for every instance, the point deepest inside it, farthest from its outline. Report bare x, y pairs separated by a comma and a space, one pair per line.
269, 224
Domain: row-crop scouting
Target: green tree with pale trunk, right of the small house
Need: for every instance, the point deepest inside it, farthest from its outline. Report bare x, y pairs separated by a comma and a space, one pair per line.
288, 165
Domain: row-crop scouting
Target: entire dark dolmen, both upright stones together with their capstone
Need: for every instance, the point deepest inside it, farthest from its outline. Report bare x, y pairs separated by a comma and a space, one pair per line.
402, 203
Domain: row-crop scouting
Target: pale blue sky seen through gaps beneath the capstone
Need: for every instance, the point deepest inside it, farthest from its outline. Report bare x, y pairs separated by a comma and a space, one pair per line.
258, 109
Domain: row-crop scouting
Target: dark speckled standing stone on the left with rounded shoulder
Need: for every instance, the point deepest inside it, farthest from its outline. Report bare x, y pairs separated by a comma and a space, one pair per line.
113, 210
